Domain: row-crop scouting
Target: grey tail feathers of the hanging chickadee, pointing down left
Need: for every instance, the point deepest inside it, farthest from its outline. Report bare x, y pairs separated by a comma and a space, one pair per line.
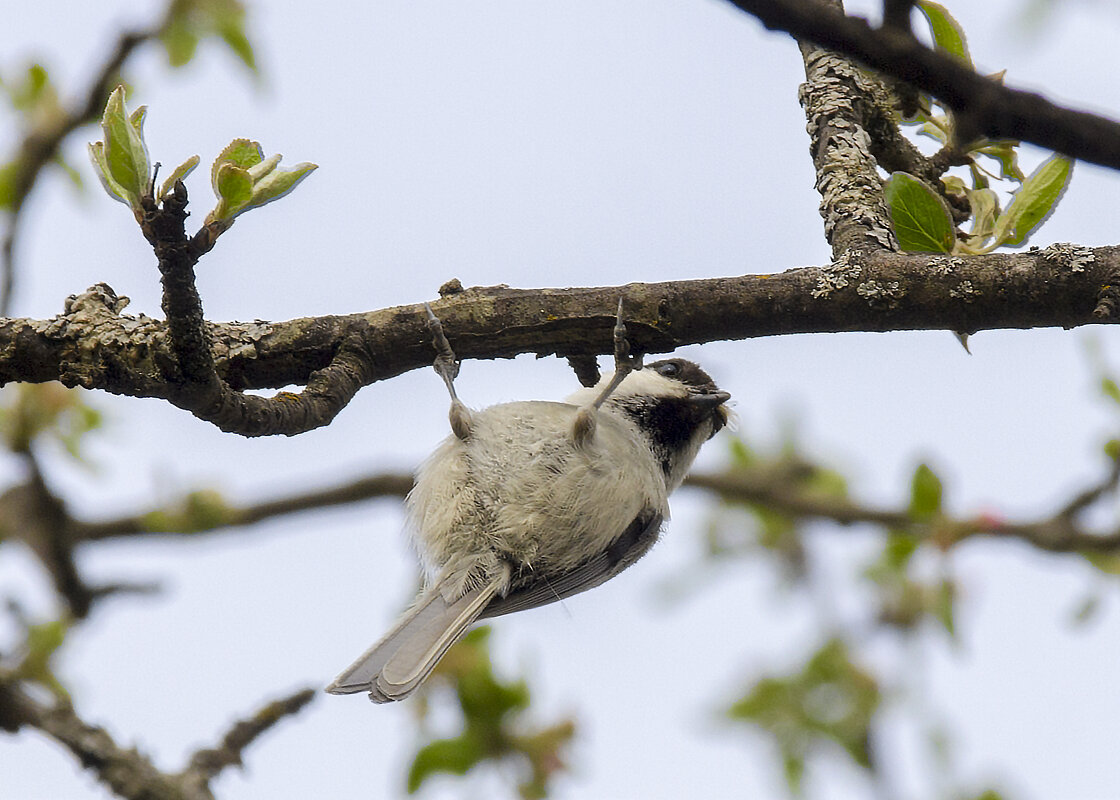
395, 667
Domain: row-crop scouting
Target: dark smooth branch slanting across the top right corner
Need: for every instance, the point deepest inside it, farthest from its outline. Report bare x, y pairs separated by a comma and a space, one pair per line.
984, 107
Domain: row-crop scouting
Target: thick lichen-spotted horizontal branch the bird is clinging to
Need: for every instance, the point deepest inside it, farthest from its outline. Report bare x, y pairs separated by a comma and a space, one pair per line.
94, 345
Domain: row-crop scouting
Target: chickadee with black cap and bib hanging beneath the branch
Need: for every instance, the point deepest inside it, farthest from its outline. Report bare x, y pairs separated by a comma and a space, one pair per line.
528, 504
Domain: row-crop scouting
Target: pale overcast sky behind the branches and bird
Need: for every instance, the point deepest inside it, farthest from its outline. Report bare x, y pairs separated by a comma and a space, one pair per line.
556, 144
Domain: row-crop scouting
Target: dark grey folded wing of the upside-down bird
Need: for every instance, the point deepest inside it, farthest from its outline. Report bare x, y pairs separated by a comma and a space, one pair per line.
530, 592
